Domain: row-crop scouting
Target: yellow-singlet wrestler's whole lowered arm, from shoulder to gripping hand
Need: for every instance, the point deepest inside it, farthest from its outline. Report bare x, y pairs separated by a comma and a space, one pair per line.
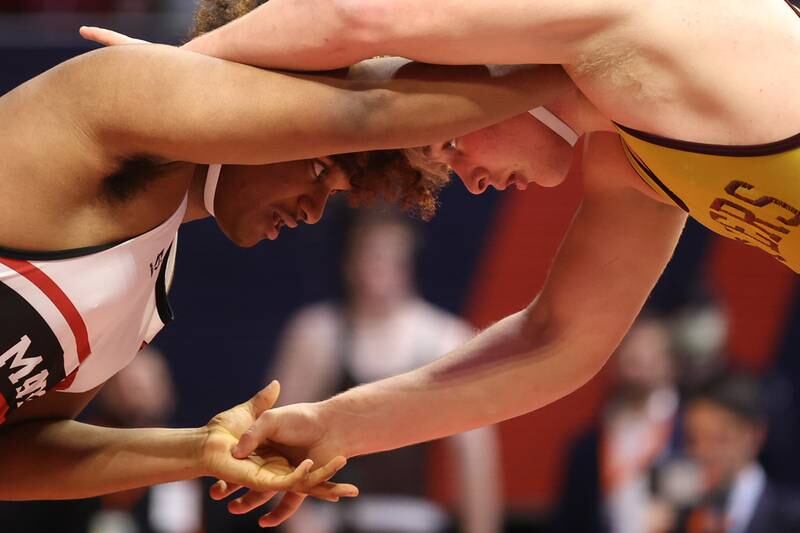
613, 254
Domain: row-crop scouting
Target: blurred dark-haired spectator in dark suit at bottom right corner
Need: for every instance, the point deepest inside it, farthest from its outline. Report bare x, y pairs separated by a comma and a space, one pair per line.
725, 426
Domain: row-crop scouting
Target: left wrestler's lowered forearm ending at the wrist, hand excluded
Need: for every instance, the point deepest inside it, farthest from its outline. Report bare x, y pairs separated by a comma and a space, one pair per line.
64, 459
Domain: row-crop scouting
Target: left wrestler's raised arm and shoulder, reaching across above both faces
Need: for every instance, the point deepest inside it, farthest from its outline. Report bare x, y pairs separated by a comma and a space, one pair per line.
176, 105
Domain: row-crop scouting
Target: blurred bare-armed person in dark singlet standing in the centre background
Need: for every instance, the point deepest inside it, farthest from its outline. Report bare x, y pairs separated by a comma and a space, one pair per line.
383, 328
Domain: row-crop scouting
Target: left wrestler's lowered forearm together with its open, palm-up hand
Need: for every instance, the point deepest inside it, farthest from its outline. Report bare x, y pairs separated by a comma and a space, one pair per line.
63, 459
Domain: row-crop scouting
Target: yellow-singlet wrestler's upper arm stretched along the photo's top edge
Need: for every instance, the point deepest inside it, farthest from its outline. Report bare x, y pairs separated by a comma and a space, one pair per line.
324, 34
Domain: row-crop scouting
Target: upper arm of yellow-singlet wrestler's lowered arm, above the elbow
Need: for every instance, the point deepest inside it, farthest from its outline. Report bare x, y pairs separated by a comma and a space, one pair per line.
613, 254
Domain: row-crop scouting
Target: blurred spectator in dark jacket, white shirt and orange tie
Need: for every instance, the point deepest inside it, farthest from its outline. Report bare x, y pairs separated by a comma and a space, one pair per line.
609, 481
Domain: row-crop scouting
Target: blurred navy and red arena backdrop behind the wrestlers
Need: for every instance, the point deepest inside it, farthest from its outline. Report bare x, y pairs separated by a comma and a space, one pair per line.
485, 257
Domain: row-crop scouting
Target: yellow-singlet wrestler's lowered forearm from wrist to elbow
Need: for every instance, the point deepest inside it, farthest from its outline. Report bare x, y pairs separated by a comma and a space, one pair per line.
498, 375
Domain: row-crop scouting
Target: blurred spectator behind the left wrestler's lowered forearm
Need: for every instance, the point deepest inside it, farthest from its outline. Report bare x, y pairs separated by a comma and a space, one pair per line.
140, 395
